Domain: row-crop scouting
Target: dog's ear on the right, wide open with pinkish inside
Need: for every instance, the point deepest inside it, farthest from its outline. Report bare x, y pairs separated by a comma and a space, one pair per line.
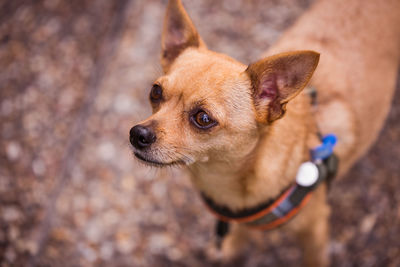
276, 80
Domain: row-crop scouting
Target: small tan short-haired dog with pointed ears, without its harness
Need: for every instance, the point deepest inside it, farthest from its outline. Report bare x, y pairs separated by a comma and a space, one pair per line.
243, 131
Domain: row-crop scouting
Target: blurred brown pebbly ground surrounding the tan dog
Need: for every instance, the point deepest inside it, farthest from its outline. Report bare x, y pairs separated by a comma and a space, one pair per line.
75, 77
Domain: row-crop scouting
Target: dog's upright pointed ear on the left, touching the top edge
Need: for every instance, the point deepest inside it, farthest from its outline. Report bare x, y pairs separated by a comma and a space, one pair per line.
178, 34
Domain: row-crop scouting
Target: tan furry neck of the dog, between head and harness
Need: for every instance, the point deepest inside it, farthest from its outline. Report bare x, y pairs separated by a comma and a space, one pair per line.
270, 167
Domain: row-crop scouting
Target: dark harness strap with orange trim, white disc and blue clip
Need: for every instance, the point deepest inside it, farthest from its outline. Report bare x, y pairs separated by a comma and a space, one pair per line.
275, 212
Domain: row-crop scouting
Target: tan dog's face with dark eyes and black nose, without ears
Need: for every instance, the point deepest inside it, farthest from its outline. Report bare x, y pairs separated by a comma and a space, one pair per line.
200, 106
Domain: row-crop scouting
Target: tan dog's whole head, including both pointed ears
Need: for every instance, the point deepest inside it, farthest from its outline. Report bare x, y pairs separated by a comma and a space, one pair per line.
208, 106
